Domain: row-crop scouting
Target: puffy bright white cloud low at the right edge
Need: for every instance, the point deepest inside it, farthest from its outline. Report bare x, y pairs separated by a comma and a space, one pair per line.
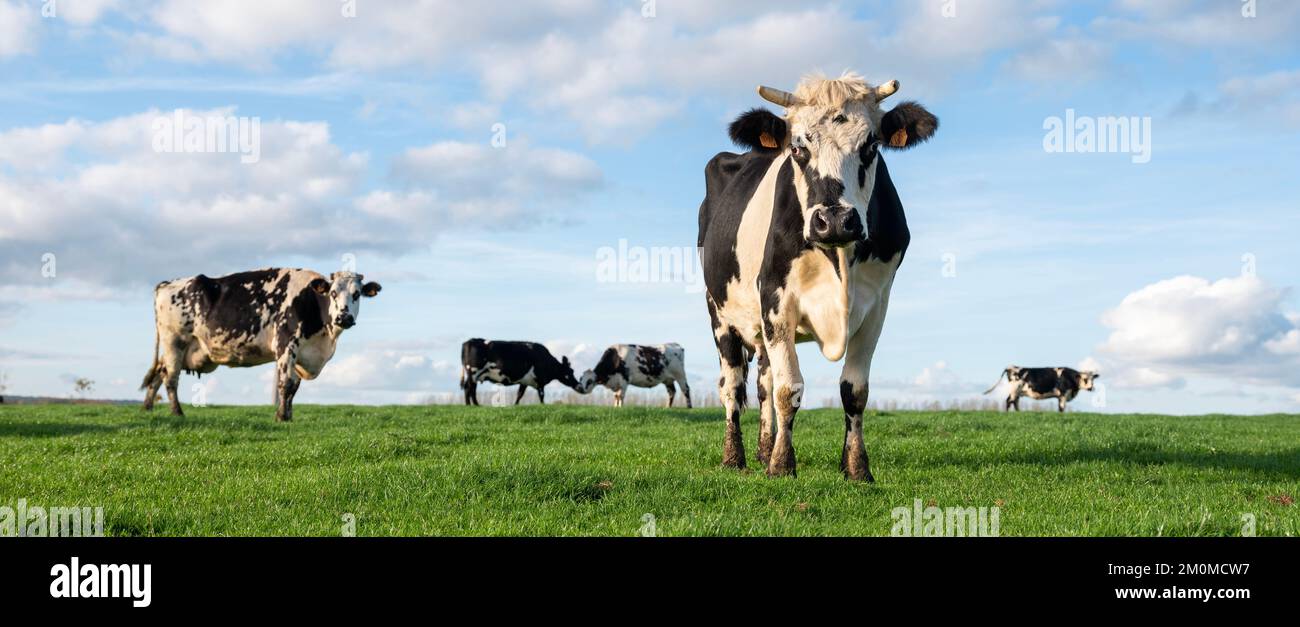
1234, 328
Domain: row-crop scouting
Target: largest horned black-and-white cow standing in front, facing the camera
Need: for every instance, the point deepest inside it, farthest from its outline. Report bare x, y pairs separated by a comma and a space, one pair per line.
800, 239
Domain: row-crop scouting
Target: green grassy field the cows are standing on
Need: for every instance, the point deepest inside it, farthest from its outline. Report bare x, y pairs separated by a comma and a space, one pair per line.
562, 470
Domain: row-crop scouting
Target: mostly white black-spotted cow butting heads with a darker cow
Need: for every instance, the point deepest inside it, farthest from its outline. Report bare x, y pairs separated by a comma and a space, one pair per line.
626, 365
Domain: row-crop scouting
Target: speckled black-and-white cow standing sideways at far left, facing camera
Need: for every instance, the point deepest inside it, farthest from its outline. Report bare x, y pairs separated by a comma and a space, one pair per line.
293, 318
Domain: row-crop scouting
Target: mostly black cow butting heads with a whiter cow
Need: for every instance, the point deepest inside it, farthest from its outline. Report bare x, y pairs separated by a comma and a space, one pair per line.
527, 365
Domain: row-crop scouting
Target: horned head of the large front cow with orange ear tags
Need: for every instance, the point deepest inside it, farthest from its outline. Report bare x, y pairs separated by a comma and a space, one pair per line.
834, 131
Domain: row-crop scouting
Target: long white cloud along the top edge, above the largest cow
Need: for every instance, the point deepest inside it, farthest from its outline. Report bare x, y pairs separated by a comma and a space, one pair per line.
612, 72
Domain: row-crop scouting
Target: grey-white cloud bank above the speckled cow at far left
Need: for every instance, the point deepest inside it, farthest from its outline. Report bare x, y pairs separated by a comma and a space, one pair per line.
115, 211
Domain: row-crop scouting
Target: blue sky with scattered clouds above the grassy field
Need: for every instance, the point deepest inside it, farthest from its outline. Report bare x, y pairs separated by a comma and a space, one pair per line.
1173, 278
